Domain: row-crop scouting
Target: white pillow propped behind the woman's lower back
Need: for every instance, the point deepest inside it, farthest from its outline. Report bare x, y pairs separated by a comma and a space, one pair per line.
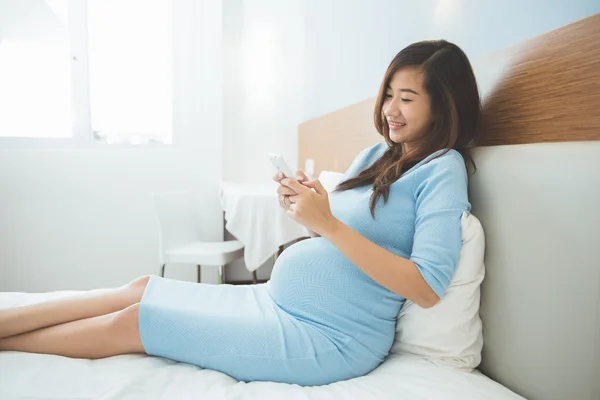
450, 333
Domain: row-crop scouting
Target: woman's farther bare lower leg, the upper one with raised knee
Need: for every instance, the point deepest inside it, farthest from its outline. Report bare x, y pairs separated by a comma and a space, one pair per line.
18, 320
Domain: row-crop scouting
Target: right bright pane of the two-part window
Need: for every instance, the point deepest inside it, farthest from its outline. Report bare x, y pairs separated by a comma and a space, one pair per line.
129, 47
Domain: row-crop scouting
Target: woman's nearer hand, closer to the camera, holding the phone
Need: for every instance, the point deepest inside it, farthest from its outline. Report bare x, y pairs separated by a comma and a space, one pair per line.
310, 208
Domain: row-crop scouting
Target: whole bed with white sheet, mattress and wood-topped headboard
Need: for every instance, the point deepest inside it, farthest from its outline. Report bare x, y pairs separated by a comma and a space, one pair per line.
536, 194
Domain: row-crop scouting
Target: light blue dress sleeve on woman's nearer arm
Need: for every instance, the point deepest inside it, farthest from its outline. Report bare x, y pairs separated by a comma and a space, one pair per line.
441, 196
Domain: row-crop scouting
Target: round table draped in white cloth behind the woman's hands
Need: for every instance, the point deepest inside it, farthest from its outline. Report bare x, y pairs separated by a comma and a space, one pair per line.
254, 217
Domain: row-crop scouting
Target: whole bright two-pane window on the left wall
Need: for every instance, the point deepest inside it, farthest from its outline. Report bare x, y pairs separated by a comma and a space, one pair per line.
86, 71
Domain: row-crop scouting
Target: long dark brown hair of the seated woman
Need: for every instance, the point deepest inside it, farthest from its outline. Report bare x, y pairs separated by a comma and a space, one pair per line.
455, 114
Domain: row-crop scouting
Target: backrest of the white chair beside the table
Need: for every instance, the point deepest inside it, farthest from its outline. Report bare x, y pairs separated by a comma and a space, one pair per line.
176, 218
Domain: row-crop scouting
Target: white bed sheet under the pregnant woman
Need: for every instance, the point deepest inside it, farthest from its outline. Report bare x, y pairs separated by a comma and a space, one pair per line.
37, 376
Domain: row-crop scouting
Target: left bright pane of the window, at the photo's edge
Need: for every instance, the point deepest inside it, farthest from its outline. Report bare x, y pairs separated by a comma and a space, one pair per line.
35, 72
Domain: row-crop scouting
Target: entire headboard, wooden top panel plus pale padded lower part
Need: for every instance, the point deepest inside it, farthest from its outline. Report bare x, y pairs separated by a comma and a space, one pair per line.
537, 193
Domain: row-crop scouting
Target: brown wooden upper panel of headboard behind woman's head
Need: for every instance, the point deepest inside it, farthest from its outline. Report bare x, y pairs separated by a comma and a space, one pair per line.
546, 89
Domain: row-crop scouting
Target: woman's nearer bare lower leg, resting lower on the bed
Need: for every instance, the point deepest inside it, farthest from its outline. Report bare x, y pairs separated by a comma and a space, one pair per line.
96, 337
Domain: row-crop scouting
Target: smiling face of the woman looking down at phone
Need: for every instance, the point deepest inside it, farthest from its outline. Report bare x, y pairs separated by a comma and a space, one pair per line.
406, 106
